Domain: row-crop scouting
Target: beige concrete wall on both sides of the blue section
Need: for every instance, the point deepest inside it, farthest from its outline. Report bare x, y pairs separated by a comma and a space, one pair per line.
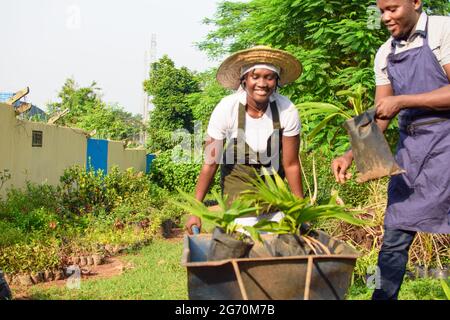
62, 147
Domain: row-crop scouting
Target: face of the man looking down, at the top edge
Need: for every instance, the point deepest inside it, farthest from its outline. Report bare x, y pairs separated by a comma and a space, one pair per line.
399, 16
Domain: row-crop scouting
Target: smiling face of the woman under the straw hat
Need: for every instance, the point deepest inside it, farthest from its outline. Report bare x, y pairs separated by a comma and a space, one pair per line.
260, 84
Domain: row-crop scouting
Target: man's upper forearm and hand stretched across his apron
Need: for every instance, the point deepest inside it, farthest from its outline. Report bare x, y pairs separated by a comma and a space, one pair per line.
438, 99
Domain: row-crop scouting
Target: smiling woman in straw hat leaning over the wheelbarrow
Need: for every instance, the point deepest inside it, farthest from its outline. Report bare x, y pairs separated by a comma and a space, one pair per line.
255, 127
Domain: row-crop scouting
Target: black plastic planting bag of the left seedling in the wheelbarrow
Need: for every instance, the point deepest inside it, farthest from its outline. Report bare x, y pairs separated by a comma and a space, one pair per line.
224, 246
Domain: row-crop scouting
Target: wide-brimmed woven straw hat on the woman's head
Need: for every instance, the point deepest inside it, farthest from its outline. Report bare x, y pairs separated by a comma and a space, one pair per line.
229, 71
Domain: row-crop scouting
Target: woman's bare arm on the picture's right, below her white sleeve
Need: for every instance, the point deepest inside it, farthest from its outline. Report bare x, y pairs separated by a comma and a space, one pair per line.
291, 164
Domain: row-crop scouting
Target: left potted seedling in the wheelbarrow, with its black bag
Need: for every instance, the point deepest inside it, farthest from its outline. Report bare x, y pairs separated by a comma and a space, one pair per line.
229, 239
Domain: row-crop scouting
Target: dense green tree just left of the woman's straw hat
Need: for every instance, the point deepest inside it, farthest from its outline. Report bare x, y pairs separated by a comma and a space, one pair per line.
169, 86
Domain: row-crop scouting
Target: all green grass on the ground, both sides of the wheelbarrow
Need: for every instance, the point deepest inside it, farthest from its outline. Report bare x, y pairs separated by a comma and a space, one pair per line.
158, 275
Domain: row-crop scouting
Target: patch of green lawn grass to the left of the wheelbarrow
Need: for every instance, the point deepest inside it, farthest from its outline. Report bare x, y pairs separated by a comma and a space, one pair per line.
157, 275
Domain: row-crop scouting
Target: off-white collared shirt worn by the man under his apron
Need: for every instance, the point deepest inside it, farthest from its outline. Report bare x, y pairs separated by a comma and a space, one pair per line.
438, 40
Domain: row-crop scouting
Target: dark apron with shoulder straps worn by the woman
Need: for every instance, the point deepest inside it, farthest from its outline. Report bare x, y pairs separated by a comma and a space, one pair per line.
241, 163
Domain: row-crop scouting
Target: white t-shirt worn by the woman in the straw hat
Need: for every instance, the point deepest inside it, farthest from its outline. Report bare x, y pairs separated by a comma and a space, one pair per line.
223, 123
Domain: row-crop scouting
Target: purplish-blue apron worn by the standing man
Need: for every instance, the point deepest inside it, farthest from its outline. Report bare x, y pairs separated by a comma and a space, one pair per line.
419, 200
